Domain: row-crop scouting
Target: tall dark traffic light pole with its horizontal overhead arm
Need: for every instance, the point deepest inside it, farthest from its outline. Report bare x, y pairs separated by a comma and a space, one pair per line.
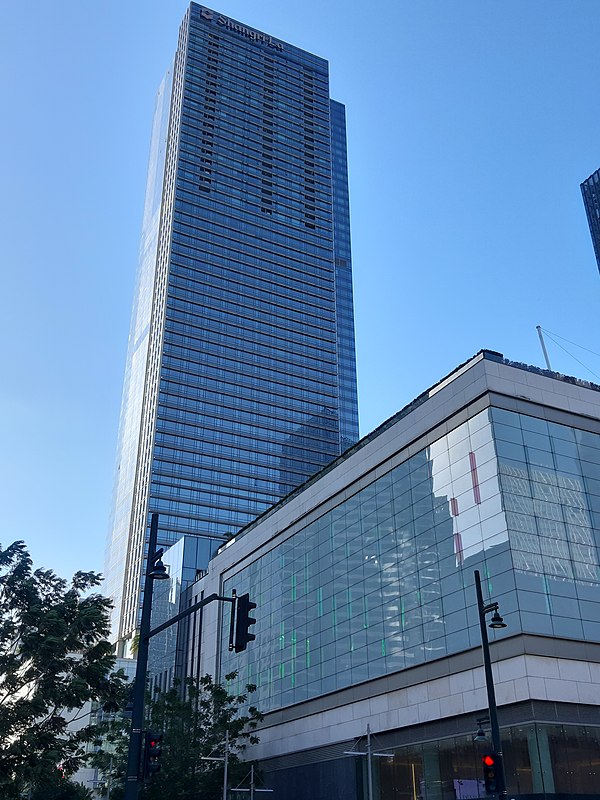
132, 781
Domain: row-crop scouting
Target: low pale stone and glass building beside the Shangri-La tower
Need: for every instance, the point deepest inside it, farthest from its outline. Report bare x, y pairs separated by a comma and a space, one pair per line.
366, 609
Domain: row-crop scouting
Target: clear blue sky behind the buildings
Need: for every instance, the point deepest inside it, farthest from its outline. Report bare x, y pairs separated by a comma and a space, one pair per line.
471, 124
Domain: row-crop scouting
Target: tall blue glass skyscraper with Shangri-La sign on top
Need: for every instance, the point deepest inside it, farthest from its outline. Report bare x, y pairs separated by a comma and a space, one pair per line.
240, 380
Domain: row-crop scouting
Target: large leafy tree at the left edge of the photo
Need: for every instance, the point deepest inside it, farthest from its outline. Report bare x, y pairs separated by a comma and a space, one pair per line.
54, 658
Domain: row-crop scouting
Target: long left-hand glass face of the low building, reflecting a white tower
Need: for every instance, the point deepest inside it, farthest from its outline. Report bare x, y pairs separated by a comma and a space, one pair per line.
383, 581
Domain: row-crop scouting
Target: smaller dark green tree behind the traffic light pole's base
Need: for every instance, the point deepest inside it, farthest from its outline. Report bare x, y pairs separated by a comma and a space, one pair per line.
194, 723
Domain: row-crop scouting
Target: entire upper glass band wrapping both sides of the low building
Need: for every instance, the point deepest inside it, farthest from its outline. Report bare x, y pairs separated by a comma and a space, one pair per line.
384, 581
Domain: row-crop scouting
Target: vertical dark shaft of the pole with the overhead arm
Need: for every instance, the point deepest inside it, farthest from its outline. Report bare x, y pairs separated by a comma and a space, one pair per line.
139, 686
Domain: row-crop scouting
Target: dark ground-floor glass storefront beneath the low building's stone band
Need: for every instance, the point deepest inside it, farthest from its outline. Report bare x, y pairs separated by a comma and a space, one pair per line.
542, 762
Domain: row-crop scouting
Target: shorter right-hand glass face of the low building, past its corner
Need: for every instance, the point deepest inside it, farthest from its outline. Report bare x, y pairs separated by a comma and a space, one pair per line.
550, 481
